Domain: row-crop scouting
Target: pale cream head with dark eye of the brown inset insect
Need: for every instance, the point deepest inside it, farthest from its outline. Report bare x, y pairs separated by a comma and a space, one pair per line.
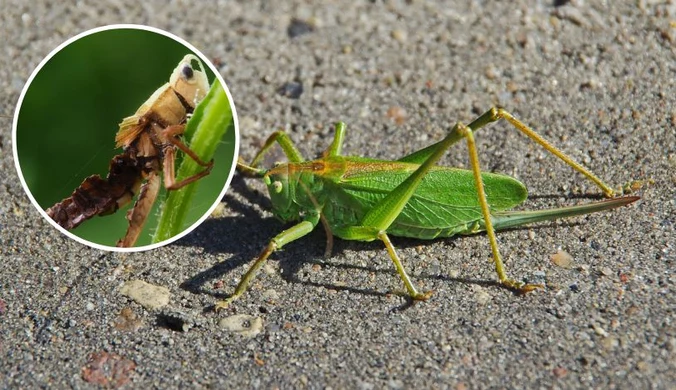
189, 79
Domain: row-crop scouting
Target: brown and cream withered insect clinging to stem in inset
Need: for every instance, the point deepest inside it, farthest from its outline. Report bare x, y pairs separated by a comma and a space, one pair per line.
149, 139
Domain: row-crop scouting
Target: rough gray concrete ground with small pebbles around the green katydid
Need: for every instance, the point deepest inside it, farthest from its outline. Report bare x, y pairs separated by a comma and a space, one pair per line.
597, 78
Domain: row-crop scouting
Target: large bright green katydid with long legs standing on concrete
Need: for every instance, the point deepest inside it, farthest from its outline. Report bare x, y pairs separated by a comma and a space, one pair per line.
363, 199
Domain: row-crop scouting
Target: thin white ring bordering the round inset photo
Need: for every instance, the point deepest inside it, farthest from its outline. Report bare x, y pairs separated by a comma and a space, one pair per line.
204, 59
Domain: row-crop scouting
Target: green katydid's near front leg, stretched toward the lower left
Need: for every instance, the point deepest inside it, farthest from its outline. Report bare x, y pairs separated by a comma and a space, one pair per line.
283, 238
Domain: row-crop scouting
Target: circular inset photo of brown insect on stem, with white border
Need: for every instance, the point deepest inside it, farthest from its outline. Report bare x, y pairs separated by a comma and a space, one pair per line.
125, 138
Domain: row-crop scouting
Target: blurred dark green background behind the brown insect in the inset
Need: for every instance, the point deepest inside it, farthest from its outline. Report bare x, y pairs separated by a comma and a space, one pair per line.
70, 115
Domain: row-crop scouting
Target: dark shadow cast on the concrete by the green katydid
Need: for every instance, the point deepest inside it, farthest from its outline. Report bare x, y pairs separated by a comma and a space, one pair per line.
241, 236
